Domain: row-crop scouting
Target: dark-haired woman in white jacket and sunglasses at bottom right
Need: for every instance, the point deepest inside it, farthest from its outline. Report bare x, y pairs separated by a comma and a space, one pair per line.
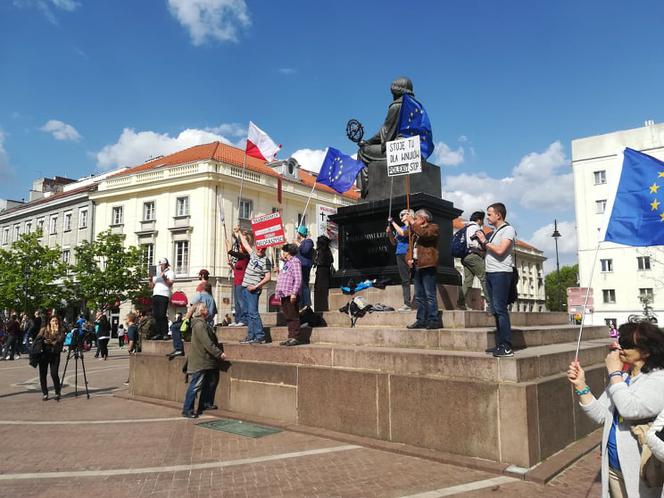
634, 395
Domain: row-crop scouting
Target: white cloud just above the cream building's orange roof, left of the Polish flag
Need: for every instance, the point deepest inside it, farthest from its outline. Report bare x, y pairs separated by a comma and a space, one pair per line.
134, 148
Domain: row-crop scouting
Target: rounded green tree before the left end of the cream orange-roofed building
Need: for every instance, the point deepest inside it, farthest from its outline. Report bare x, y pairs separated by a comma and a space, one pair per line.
107, 273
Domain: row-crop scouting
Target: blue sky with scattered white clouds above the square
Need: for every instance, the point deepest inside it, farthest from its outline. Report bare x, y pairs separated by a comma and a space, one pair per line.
88, 86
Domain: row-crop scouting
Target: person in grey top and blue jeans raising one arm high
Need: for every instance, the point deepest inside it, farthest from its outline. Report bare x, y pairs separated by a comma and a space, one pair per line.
257, 274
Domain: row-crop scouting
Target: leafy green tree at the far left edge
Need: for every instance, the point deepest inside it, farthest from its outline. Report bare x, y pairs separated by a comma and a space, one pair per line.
32, 276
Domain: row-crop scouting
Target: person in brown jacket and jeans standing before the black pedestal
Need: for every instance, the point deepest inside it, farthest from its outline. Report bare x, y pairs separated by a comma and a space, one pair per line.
425, 261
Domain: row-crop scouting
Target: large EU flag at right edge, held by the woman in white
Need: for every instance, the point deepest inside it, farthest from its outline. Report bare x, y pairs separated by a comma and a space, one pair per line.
637, 218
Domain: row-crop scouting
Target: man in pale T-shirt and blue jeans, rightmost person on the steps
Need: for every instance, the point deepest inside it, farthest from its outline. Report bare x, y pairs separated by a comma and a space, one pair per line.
499, 262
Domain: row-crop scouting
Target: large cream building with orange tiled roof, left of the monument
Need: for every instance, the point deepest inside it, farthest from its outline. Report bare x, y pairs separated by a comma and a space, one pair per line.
183, 207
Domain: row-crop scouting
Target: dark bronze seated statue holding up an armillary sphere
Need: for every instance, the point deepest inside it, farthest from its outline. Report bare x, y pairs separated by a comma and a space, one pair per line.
373, 149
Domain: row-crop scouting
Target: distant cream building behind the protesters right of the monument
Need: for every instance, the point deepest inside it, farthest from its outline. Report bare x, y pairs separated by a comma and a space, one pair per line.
529, 261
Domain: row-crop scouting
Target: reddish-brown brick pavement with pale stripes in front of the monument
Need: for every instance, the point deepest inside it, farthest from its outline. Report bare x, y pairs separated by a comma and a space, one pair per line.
108, 446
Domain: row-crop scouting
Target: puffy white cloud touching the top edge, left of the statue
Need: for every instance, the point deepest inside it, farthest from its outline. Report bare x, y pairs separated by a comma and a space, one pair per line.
211, 19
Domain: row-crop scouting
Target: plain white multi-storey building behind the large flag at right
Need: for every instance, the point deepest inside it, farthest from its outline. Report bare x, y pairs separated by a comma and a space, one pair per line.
621, 273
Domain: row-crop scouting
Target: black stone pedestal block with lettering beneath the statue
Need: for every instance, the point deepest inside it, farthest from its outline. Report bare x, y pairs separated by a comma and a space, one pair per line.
366, 252
